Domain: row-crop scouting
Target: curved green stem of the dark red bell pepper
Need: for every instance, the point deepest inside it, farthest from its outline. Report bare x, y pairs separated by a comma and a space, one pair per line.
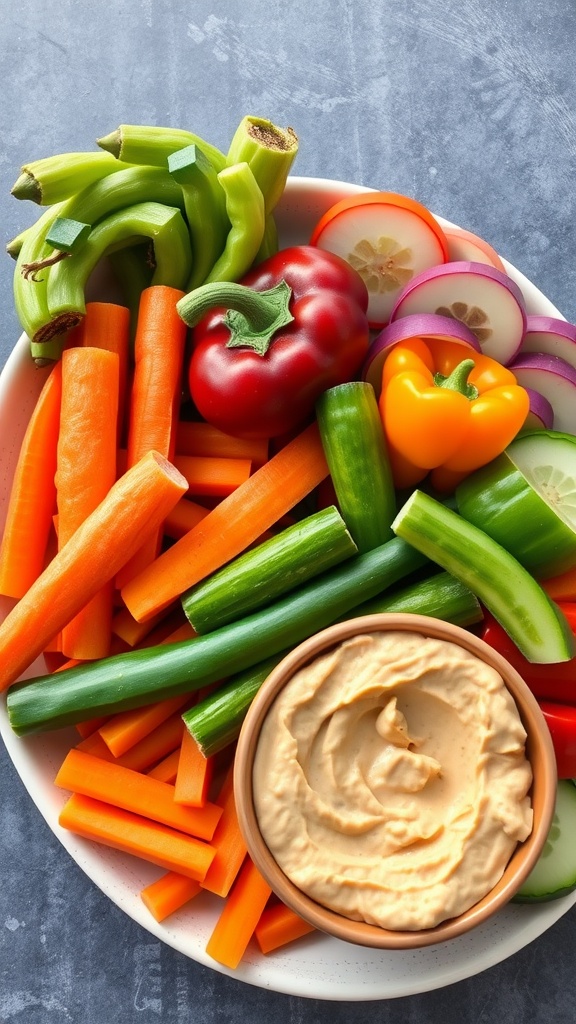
253, 318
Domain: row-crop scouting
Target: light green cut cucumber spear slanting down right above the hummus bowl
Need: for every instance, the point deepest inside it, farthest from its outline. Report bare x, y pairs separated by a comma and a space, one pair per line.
504, 586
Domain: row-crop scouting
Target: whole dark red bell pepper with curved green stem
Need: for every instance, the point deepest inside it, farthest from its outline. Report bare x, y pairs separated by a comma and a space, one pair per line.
265, 350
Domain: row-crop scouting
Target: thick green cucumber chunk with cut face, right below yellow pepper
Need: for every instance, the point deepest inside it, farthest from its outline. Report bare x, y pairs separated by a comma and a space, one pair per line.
526, 501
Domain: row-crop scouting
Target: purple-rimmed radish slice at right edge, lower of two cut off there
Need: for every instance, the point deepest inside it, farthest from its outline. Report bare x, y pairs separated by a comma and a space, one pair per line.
556, 380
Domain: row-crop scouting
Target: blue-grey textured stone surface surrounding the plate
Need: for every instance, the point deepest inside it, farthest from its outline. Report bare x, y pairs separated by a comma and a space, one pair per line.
469, 106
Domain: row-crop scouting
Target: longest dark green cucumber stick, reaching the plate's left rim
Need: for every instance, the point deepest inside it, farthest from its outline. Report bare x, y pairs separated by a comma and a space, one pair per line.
132, 680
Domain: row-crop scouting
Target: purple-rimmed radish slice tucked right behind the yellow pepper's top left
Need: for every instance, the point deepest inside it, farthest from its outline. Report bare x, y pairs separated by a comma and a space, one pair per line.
426, 326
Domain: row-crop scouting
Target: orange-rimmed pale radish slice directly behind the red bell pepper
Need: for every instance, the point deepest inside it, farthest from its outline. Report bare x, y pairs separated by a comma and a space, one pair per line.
388, 239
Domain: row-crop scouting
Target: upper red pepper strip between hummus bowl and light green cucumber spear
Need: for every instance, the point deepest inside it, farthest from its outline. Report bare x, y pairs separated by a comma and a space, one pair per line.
548, 682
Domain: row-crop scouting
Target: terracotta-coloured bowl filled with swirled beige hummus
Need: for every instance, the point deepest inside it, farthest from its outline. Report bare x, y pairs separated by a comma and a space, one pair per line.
395, 781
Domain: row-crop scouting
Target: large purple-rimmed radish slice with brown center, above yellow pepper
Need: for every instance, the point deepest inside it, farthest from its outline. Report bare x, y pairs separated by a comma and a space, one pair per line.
488, 302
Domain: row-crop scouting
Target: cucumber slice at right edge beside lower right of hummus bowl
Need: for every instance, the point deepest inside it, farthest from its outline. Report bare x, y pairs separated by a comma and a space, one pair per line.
555, 873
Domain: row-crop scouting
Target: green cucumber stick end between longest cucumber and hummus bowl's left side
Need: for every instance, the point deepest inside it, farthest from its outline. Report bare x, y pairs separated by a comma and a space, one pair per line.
216, 722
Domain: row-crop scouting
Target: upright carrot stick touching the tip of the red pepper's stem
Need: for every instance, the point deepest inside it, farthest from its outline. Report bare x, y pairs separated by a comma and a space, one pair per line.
156, 392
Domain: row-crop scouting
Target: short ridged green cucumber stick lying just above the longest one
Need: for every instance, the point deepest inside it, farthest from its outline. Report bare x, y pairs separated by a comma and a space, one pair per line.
259, 577
